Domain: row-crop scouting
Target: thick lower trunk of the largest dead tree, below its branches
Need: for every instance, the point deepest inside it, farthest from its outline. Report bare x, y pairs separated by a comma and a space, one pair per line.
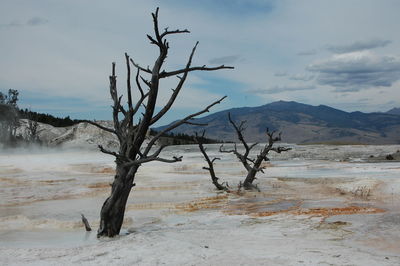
113, 210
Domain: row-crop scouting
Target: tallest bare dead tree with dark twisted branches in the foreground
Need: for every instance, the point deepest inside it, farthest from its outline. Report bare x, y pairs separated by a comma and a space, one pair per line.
132, 122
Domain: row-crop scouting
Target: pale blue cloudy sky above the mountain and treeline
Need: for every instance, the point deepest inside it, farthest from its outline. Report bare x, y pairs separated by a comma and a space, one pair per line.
344, 53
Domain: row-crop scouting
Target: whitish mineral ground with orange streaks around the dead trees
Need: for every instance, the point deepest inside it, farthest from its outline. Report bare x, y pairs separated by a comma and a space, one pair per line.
175, 217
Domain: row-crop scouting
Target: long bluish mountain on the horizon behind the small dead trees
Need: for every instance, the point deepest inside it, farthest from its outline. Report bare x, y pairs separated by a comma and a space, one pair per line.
301, 123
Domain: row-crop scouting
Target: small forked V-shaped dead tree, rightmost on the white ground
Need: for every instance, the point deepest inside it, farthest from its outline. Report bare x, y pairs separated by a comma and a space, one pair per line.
252, 165
